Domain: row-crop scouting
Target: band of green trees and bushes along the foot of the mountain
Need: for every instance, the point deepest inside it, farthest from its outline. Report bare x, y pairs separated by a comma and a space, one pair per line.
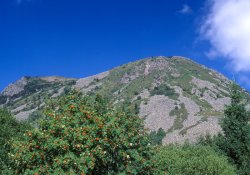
85, 135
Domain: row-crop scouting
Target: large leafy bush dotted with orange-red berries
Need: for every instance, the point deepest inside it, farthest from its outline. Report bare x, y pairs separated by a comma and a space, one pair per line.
81, 135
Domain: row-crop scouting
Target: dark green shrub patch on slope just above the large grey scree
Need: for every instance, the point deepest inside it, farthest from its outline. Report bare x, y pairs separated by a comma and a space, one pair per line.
164, 89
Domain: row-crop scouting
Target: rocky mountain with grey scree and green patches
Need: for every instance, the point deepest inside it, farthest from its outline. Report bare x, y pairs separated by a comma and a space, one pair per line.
174, 93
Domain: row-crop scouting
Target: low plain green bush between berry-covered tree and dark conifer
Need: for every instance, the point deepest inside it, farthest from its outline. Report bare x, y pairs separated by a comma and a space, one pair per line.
190, 160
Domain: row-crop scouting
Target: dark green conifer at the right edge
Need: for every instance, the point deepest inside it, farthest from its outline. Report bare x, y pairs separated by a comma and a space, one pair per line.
236, 139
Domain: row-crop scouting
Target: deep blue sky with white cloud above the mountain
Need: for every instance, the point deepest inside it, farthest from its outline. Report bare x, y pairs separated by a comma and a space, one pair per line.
78, 38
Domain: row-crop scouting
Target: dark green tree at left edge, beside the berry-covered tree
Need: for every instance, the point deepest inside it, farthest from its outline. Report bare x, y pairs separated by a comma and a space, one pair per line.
10, 129
